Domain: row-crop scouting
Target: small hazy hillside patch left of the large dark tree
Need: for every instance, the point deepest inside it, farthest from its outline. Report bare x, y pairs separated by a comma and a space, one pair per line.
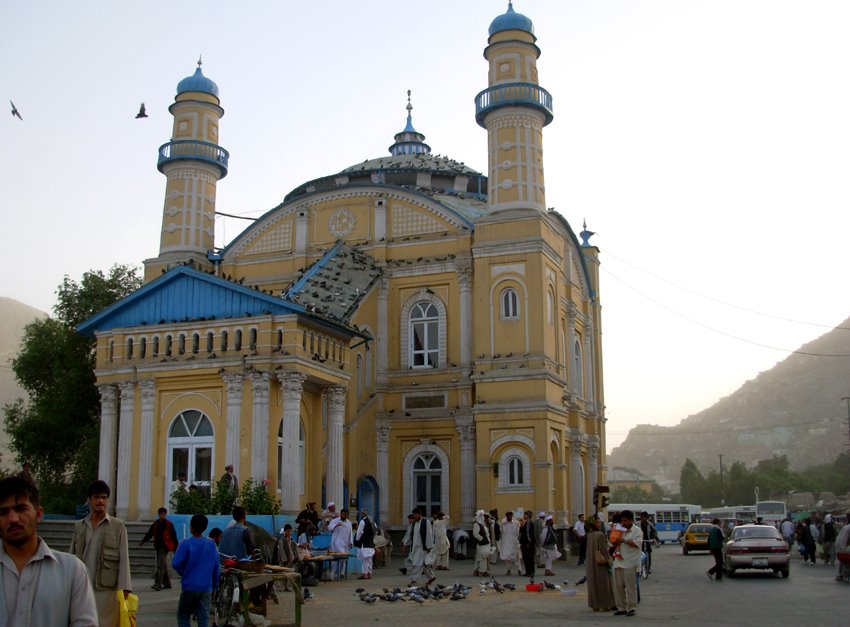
15, 316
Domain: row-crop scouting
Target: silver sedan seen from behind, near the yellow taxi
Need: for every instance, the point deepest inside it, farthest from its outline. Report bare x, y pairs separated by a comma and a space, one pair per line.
756, 546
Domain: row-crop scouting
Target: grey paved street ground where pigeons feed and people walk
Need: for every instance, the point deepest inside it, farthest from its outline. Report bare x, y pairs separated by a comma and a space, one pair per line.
677, 592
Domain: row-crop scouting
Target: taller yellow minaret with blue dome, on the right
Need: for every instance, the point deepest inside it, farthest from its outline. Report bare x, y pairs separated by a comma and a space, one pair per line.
514, 109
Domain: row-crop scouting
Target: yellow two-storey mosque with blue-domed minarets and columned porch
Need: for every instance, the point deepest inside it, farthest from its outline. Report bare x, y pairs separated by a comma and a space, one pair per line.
406, 332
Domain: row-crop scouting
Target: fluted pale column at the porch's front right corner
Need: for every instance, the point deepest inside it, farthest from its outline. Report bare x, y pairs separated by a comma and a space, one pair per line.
292, 386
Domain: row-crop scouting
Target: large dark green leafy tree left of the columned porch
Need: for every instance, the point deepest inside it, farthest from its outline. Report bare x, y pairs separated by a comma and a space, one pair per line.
57, 430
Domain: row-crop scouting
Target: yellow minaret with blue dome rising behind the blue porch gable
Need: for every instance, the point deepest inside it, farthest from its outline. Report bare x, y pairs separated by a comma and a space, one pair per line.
193, 162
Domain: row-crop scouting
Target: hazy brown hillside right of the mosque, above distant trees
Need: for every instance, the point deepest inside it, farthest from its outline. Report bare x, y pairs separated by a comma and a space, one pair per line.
793, 409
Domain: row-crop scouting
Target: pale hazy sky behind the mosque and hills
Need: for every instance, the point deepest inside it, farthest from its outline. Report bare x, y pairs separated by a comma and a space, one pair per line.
705, 142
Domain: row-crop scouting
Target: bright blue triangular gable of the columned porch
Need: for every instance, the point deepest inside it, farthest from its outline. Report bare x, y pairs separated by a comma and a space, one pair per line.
184, 294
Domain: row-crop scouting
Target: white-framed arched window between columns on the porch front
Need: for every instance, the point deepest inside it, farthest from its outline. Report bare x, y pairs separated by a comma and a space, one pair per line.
190, 450
